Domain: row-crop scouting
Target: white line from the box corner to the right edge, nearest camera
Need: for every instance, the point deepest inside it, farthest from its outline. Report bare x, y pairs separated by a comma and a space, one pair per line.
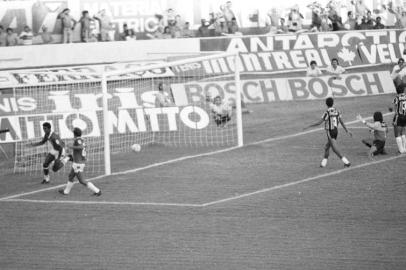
313, 178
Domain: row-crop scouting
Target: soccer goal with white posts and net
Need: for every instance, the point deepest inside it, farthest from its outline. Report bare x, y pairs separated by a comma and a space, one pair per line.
170, 104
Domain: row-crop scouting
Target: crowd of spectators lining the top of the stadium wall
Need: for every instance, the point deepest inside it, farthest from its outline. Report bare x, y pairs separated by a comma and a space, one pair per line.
357, 16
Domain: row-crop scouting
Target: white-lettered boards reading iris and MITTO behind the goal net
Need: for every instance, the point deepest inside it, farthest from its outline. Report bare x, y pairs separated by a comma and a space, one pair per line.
128, 113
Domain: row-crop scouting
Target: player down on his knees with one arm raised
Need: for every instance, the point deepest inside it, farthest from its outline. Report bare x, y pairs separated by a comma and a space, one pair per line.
380, 130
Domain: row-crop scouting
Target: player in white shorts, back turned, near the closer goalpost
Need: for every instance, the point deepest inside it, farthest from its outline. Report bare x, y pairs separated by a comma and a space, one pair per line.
78, 158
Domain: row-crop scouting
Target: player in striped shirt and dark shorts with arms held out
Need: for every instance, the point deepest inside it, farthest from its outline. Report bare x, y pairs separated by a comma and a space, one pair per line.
331, 119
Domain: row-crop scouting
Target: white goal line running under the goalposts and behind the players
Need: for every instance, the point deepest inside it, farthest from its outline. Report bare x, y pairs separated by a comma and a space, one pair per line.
179, 159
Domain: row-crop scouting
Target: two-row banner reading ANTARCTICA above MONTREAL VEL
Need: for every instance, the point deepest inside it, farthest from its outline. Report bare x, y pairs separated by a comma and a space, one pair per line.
289, 52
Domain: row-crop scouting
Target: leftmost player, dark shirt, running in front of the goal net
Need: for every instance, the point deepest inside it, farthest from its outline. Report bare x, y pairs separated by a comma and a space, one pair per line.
56, 154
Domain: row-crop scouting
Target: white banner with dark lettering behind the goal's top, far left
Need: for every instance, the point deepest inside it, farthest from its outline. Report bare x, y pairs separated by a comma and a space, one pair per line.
36, 77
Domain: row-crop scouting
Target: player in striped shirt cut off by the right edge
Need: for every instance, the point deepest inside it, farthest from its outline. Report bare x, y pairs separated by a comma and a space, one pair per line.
399, 121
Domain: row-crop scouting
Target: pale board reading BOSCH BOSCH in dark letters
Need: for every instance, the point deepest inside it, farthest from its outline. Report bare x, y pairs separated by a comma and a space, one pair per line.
284, 89
